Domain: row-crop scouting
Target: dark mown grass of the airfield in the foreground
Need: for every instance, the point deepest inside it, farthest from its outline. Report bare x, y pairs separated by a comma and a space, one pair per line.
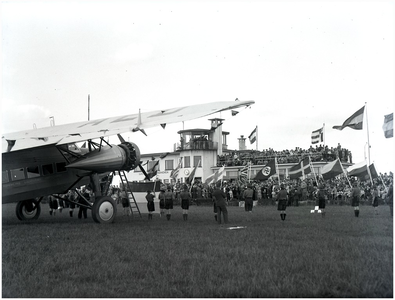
304, 256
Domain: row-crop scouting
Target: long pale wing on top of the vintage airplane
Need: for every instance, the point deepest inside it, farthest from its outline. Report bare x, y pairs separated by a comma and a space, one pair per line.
82, 131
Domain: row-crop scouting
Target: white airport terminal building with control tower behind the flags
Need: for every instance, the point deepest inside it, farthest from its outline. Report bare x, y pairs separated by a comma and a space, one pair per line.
205, 148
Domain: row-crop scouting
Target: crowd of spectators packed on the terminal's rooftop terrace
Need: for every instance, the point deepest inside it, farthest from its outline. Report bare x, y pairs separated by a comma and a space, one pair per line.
317, 153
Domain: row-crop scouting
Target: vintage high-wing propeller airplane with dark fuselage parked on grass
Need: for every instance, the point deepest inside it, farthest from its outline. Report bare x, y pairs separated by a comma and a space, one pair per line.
45, 161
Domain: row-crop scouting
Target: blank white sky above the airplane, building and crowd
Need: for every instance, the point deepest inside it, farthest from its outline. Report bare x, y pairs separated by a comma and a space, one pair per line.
305, 63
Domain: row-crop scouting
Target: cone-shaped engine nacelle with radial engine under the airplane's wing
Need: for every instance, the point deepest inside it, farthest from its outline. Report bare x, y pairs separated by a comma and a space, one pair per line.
122, 157
